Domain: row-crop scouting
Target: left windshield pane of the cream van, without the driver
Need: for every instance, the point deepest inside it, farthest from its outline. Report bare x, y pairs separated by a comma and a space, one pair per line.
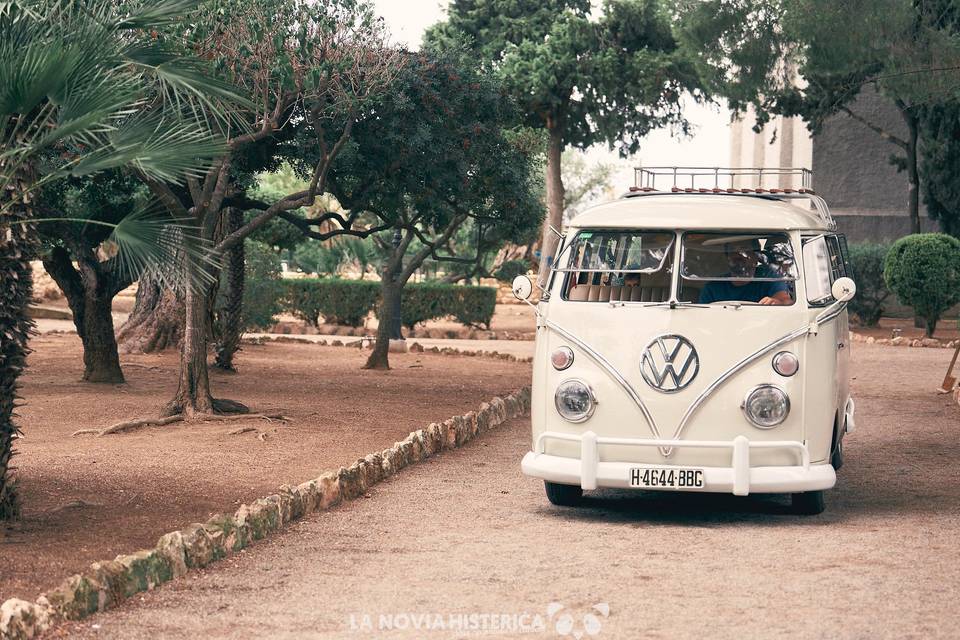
610, 266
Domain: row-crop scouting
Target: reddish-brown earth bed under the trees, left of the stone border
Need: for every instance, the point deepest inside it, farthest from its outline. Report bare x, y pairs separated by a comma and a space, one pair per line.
88, 498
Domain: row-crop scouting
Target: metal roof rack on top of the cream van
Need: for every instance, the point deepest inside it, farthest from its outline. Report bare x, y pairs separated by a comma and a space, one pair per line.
708, 180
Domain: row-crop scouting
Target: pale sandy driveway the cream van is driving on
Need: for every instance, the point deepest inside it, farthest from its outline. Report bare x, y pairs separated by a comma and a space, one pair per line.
466, 533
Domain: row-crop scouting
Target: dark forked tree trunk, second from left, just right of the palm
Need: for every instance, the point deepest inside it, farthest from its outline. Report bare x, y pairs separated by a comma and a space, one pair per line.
90, 294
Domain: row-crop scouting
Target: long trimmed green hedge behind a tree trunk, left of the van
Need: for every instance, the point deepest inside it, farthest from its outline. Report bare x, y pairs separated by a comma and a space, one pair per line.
349, 301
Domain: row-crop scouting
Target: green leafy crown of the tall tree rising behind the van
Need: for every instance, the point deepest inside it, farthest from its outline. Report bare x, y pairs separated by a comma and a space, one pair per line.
609, 76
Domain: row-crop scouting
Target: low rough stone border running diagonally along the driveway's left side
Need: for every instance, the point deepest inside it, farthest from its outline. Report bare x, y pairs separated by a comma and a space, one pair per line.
105, 584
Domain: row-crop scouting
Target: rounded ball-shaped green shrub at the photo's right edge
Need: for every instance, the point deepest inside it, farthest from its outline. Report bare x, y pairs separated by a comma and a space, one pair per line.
923, 270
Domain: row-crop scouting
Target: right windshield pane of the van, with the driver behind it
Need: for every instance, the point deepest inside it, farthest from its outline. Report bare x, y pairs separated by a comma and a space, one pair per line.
738, 267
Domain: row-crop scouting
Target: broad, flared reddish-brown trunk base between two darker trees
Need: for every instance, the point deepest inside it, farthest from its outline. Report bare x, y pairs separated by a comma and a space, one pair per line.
156, 321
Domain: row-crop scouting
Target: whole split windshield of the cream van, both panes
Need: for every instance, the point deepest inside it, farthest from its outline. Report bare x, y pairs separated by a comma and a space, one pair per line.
717, 267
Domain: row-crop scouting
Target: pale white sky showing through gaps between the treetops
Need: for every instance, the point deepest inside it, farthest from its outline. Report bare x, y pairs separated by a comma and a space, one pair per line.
709, 145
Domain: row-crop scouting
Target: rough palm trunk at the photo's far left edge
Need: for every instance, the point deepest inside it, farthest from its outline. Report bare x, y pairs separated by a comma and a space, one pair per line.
17, 246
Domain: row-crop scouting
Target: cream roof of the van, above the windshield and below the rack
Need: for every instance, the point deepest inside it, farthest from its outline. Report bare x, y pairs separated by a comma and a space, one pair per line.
665, 210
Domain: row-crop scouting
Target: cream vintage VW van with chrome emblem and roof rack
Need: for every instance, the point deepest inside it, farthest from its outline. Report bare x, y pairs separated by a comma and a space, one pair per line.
694, 339
